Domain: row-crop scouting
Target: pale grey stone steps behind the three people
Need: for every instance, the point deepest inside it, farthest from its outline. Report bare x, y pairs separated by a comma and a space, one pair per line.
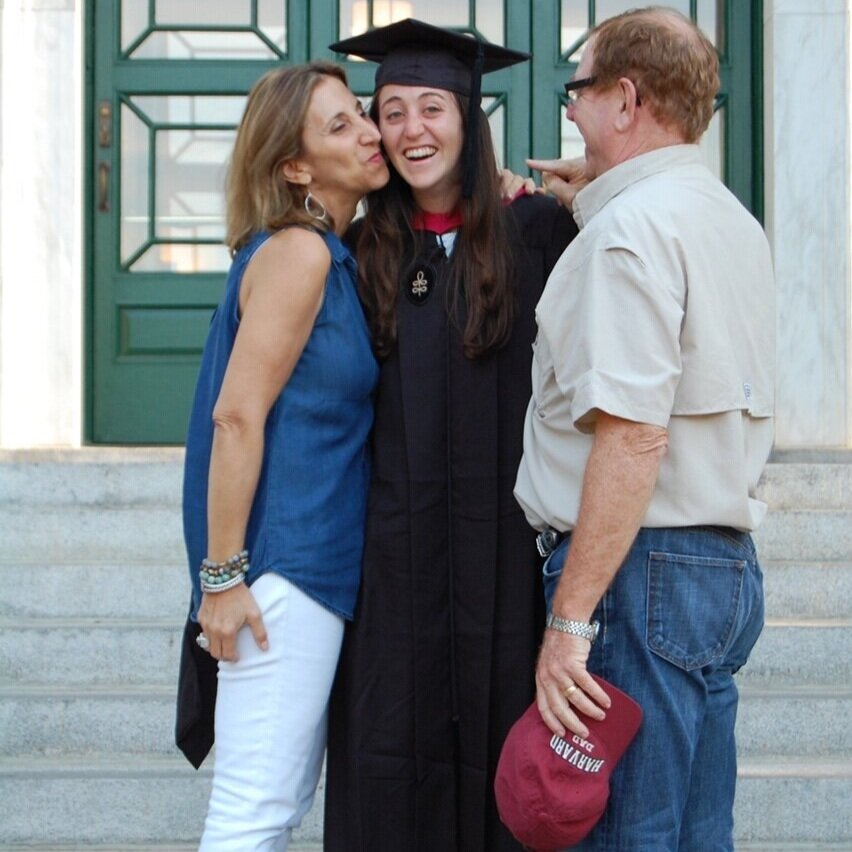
93, 595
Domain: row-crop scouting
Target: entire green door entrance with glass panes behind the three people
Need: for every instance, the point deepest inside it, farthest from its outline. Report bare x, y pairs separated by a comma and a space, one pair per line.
167, 85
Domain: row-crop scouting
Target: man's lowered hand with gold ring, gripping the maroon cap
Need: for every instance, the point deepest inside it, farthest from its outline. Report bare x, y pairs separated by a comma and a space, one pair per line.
563, 685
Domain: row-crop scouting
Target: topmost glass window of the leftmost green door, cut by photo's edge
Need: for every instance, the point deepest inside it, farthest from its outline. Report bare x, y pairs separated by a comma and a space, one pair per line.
216, 29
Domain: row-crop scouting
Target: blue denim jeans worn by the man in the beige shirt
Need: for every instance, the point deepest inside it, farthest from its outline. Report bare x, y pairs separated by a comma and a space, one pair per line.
680, 617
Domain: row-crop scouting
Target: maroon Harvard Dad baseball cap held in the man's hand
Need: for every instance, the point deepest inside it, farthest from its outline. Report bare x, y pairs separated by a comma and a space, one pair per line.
552, 790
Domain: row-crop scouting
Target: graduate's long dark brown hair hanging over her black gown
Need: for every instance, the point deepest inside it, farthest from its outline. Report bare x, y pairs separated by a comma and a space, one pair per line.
481, 264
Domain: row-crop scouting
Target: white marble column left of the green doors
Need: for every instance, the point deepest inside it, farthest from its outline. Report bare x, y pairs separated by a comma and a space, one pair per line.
41, 302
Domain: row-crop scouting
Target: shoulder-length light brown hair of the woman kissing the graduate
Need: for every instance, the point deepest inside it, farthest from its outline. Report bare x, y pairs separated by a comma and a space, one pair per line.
270, 133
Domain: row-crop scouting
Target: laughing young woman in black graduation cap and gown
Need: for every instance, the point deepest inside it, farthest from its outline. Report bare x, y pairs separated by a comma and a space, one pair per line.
437, 664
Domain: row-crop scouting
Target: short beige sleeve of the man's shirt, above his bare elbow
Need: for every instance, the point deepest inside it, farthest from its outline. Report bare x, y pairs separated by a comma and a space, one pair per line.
615, 339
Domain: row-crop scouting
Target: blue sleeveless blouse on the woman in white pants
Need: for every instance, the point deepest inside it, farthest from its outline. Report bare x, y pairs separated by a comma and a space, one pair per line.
307, 519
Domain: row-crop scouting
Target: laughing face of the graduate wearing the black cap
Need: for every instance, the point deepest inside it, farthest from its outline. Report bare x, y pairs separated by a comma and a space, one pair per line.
423, 137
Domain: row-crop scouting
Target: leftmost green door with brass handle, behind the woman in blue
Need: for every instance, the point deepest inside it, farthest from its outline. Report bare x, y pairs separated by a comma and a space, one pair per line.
168, 87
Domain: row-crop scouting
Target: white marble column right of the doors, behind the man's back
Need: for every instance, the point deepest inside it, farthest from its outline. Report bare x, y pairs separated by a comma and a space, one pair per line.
807, 160
